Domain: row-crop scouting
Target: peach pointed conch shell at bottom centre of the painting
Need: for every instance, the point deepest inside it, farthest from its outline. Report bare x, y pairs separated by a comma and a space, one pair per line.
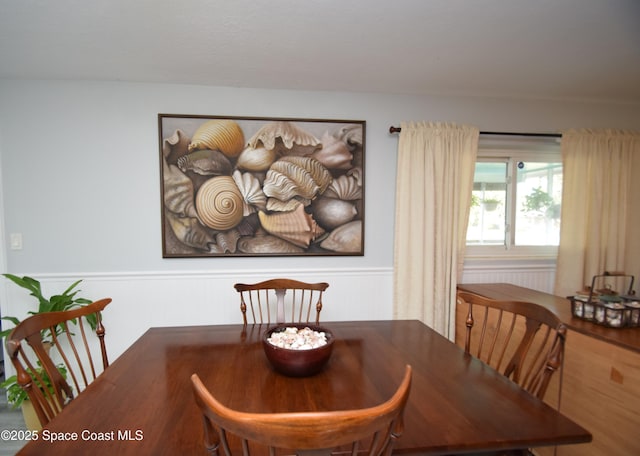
296, 226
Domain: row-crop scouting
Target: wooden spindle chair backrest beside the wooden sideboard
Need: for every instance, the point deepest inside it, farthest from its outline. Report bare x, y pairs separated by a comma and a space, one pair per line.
522, 340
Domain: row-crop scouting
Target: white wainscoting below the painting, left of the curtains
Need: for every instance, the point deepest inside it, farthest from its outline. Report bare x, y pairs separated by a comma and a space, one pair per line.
148, 299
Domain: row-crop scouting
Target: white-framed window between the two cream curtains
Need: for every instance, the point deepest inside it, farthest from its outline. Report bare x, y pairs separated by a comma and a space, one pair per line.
516, 200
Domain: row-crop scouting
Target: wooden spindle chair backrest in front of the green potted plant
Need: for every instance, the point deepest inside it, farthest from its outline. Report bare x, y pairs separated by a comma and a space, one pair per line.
69, 348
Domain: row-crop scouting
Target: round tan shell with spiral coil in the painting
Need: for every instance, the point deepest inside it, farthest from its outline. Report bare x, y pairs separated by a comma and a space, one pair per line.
219, 203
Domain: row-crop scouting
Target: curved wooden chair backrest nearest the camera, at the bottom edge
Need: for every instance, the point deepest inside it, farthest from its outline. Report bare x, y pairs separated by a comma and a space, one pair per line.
370, 431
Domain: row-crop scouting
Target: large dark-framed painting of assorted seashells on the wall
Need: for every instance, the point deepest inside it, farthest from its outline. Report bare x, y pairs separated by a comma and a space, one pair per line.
254, 186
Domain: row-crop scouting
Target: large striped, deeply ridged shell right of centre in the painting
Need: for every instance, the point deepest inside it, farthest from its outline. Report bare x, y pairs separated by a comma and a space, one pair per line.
296, 177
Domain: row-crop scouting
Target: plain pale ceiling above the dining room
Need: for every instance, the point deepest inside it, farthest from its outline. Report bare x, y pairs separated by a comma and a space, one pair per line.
558, 49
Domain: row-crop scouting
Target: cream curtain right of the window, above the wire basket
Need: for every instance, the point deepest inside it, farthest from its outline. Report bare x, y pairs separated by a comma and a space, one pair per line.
600, 207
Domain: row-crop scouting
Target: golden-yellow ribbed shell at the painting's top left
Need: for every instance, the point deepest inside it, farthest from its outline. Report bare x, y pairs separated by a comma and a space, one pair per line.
224, 135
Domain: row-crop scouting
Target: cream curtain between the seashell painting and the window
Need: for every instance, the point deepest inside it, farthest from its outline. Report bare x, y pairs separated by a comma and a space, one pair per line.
434, 181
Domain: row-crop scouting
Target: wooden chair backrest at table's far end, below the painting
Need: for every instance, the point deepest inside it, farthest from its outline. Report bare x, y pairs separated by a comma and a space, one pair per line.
281, 301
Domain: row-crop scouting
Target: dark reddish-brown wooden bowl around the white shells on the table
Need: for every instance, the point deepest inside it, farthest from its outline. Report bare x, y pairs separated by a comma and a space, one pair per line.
297, 362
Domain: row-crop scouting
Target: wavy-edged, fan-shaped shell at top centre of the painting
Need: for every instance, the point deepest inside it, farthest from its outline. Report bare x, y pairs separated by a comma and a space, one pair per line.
286, 138
